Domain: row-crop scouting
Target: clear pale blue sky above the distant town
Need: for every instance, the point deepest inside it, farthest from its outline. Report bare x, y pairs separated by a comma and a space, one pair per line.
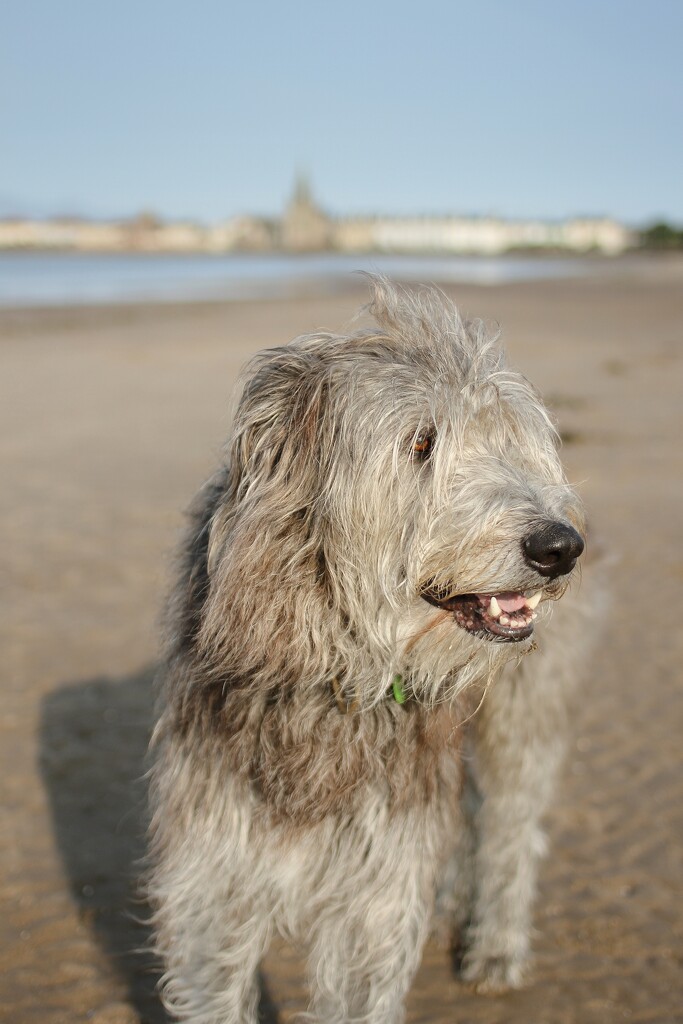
208, 110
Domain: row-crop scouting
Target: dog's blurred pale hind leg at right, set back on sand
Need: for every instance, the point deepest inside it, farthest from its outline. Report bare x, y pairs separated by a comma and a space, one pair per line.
521, 738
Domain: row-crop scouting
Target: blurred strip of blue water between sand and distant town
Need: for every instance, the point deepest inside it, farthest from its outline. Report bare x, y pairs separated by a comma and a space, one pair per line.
93, 279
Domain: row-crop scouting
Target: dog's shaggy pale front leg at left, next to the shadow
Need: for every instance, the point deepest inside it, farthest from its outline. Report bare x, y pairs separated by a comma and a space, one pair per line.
210, 888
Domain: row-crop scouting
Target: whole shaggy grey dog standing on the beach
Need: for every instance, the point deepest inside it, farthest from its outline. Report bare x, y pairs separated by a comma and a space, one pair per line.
365, 698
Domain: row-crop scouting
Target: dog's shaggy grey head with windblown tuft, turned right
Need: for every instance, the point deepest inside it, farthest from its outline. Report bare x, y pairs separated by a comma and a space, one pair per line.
396, 504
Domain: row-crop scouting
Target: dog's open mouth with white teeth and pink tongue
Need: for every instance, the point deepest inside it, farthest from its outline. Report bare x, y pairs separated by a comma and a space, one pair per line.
505, 617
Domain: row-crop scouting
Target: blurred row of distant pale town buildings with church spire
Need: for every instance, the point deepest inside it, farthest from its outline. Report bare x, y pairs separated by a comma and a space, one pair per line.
305, 227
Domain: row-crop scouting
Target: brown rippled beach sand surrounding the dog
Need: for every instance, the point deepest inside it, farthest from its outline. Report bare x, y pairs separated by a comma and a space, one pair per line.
110, 419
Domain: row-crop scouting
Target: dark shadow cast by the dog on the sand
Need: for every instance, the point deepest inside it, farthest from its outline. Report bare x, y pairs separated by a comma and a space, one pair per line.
94, 746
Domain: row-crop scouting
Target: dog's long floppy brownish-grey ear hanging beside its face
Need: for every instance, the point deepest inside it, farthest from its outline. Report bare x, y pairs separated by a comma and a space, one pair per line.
266, 536
